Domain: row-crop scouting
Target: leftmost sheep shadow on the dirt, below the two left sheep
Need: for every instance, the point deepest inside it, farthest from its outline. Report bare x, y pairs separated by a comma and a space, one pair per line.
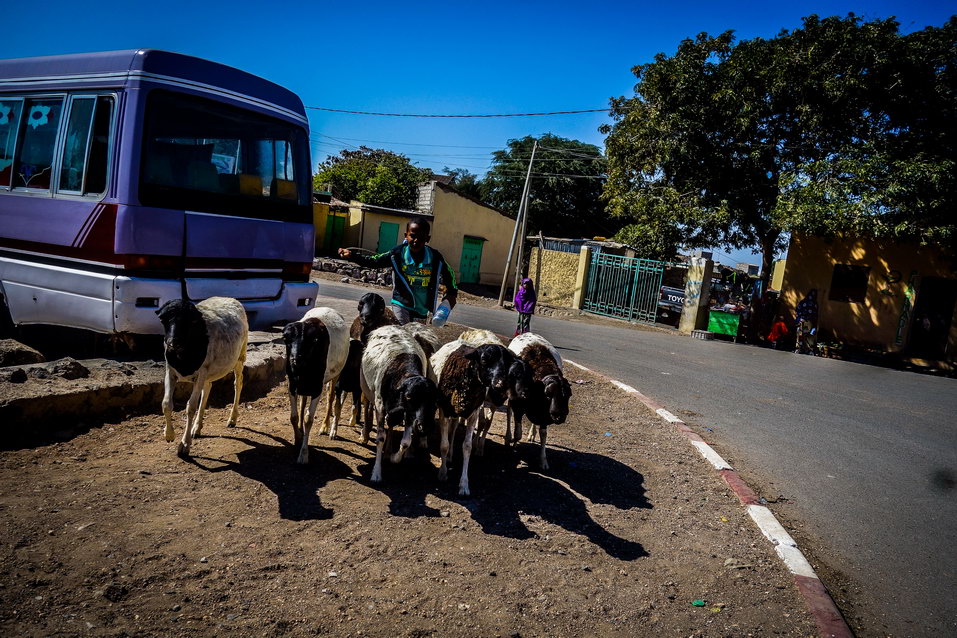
295, 486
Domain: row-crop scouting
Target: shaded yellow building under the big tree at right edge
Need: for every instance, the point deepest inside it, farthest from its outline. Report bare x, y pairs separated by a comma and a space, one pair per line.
895, 297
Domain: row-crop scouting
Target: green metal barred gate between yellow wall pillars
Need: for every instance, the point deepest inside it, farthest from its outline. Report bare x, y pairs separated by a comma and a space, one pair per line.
624, 287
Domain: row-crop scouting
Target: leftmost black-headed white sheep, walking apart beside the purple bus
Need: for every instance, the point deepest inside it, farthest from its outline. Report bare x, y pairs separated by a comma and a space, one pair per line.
203, 342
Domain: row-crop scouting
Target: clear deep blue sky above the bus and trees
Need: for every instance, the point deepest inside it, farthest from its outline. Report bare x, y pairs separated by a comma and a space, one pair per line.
425, 57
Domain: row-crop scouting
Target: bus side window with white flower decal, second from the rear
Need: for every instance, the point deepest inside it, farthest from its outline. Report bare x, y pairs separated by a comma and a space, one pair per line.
35, 161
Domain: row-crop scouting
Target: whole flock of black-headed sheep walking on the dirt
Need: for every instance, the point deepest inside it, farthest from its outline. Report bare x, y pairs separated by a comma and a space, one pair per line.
402, 373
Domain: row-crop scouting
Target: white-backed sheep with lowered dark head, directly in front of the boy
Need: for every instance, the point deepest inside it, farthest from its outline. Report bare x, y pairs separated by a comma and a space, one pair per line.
394, 380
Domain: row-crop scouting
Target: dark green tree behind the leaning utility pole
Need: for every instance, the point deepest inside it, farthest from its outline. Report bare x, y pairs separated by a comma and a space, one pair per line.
566, 186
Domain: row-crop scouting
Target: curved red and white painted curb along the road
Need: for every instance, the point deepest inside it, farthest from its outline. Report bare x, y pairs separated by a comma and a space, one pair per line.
828, 618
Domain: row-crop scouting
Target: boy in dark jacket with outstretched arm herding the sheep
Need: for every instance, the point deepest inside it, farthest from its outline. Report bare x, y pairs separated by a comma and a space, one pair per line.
416, 271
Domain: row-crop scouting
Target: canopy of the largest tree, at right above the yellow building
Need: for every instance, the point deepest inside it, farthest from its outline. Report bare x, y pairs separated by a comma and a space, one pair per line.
841, 126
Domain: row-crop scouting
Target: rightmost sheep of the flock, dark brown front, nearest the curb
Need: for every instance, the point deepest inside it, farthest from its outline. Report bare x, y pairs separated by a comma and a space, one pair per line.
548, 399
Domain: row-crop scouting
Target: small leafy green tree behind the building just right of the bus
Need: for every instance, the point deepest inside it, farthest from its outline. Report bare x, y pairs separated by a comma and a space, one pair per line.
372, 176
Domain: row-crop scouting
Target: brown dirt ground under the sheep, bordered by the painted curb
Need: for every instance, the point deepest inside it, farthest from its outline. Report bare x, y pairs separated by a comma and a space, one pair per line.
109, 533
